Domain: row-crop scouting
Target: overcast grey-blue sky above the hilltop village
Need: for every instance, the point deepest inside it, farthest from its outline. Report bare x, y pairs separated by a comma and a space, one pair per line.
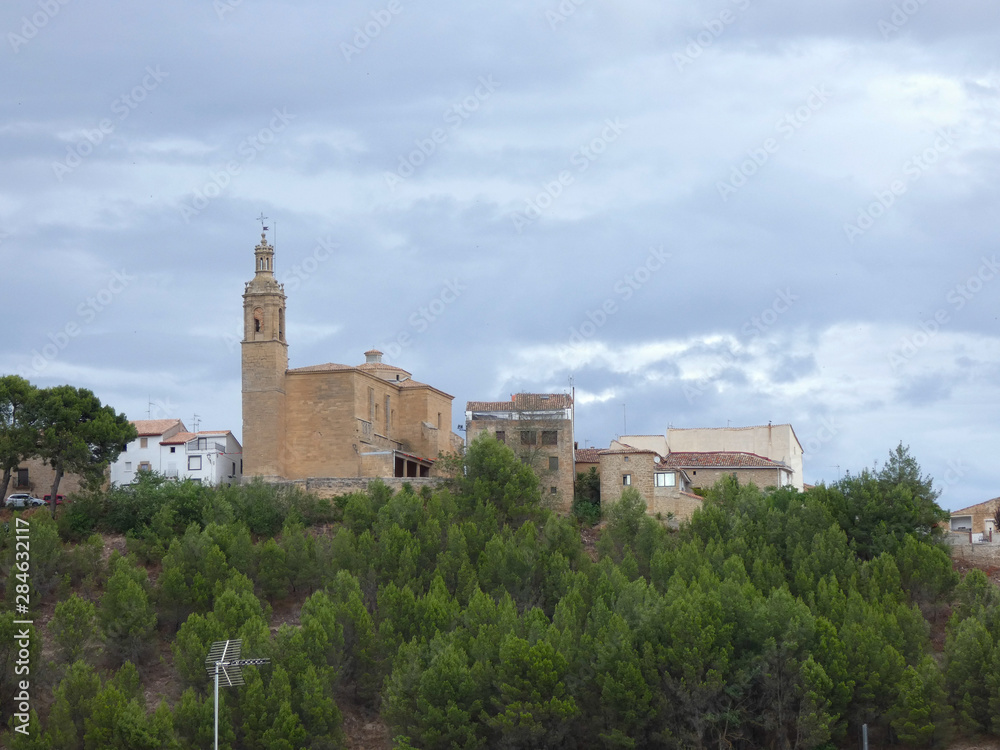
703, 212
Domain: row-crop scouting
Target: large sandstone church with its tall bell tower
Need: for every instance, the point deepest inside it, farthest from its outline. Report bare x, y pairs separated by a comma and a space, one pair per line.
330, 420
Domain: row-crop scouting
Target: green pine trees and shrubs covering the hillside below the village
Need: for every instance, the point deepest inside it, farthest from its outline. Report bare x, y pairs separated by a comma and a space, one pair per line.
472, 617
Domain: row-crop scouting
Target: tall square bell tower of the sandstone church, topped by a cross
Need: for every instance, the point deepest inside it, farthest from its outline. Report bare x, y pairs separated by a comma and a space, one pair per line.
265, 361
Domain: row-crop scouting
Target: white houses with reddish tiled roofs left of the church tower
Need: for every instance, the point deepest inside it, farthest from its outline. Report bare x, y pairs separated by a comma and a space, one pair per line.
166, 447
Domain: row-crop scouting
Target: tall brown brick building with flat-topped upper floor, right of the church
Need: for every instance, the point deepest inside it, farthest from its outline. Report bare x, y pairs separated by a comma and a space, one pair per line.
538, 427
